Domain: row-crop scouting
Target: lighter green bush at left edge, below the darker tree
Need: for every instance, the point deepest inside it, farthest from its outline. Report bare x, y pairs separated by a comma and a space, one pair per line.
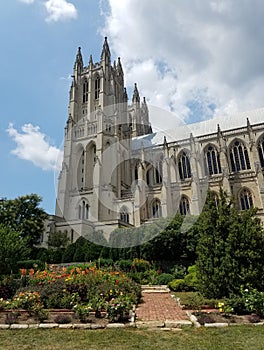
12, 249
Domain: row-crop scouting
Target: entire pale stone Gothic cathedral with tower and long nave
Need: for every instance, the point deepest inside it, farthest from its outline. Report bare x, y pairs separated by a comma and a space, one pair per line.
117, 172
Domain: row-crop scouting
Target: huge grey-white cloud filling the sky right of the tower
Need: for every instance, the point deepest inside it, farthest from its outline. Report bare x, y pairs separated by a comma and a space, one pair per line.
200, 63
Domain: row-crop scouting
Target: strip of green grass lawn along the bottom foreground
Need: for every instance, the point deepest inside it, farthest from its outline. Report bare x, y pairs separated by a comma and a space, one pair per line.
239, 337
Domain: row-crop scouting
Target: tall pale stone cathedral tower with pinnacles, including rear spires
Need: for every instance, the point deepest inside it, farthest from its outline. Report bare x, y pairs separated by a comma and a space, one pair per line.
97, 144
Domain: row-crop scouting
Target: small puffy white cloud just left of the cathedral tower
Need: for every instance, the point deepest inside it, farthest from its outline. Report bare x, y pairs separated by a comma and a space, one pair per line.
32, 145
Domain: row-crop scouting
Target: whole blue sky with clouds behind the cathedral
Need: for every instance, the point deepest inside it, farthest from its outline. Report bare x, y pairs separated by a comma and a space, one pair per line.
196, 59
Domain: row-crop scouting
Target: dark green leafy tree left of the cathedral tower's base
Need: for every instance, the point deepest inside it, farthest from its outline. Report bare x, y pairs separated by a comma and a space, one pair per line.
24, 216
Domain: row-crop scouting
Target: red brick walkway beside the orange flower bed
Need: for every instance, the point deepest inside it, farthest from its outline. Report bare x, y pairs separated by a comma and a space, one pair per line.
159, 307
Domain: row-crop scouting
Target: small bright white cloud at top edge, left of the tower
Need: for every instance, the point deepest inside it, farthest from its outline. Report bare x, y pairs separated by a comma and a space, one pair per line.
60, 10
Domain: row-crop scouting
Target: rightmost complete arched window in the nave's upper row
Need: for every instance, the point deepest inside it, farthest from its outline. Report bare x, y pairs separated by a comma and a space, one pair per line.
239, 157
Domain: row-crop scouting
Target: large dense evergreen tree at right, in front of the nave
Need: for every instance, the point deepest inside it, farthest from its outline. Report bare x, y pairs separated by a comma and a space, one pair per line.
229, 250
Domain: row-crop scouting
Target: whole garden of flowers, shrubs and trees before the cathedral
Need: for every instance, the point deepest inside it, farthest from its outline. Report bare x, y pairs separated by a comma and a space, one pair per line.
214, 265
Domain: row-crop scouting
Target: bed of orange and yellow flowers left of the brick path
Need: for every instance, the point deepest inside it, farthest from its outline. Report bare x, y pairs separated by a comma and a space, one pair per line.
86, 291
